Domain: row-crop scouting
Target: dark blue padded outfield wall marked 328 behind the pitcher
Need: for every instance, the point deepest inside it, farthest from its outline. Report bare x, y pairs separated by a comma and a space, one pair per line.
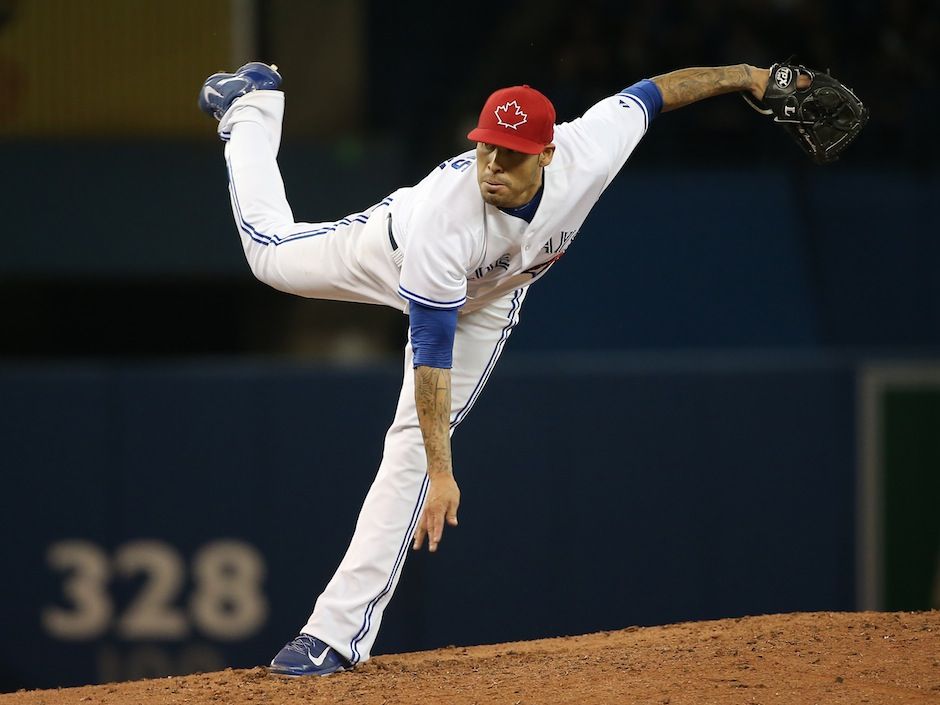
183, 516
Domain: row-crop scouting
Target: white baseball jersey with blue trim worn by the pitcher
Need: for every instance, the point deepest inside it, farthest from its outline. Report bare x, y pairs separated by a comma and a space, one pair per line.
459, 251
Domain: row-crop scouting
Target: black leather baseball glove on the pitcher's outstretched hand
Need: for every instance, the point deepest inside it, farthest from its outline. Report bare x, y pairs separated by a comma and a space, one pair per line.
823, 117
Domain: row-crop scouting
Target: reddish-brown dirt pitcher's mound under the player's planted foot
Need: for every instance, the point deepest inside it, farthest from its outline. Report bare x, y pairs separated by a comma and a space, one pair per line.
825, 657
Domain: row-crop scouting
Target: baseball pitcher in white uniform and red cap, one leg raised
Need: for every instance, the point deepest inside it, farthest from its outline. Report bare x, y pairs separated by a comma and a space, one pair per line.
457, 252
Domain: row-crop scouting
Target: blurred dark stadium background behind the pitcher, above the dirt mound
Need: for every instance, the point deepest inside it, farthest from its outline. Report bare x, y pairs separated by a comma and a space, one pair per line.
724, 401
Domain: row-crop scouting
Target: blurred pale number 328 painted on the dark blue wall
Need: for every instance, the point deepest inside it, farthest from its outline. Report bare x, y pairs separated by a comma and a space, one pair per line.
226, 603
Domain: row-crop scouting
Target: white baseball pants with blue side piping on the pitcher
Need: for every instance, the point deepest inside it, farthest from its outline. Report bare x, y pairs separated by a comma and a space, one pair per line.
351, 260
